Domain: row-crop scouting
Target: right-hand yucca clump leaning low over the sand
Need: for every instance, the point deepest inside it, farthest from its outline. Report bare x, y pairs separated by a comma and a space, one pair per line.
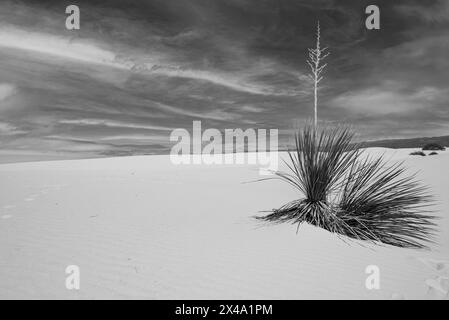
379, 202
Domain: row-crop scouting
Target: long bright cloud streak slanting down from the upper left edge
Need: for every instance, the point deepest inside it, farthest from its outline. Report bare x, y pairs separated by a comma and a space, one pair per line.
86, 50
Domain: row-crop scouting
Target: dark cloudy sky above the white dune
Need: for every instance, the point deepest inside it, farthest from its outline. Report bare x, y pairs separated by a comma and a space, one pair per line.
138, 69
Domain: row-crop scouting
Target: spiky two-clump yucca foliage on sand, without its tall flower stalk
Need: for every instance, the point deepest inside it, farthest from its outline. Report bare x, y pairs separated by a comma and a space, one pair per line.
348, 193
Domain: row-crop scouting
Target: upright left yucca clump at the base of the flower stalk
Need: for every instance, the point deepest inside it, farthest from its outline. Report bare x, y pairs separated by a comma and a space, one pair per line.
318, 163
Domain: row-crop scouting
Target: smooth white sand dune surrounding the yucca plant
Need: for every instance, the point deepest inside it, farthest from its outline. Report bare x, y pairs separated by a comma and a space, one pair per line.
140, 227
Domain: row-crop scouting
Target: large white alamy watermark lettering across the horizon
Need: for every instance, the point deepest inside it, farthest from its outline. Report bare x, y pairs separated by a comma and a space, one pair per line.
212, 147
